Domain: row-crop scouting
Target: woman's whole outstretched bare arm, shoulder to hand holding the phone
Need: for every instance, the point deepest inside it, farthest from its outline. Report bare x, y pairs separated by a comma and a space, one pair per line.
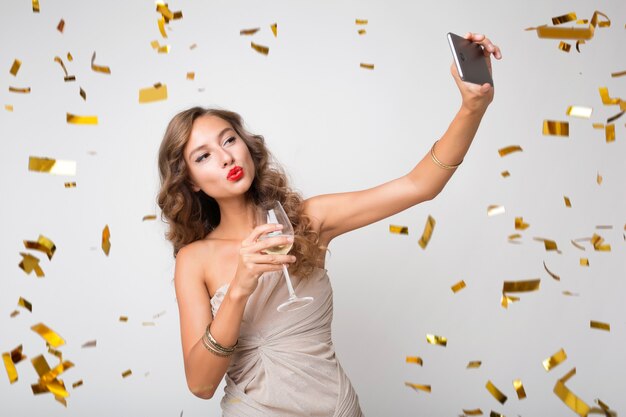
342, 212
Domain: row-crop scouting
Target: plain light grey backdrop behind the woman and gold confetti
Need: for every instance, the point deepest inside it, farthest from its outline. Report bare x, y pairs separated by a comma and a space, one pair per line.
335, 127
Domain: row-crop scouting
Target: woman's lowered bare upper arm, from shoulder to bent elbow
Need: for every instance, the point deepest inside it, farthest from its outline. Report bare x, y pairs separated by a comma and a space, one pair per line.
192, 297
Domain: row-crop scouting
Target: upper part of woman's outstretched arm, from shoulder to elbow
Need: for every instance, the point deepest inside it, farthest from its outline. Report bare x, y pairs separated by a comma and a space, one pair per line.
342, 212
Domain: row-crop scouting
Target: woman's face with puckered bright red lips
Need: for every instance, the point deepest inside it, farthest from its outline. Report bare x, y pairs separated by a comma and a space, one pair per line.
218, 160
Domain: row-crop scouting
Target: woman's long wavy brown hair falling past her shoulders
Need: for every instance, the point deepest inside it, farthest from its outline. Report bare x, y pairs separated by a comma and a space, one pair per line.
192, 215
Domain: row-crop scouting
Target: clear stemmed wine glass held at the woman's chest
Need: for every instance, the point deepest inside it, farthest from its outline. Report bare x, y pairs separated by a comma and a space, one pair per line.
274, 213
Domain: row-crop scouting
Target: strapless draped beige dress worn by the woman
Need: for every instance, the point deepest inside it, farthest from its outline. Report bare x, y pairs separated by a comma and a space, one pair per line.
285, 364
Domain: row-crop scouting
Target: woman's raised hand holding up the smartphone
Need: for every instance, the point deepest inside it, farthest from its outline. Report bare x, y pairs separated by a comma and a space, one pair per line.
477, 97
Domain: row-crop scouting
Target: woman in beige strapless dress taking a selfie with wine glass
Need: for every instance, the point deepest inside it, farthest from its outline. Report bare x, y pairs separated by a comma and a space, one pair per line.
214, 175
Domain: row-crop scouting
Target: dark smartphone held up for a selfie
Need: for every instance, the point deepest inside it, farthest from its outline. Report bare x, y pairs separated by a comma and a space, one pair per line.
470, 61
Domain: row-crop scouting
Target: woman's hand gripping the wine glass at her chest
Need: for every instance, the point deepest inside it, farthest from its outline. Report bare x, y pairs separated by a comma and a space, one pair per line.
253, 263
